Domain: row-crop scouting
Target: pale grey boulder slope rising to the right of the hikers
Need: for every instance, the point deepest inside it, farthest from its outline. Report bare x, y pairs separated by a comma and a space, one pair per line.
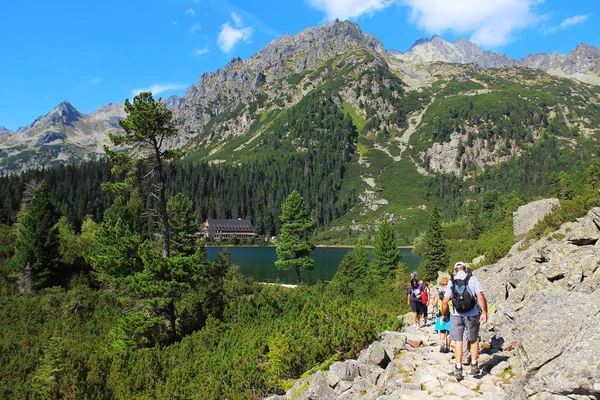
546, 301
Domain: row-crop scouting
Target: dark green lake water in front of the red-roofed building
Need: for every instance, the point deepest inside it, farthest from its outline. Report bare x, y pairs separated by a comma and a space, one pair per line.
259, 263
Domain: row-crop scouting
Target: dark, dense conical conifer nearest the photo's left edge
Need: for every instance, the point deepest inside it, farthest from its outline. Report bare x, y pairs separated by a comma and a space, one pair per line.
36, 256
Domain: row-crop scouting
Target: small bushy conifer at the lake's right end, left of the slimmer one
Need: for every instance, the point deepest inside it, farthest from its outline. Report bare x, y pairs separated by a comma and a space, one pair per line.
386, 253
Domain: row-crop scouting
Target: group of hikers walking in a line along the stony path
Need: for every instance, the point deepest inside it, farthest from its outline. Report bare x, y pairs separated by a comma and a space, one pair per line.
460, 307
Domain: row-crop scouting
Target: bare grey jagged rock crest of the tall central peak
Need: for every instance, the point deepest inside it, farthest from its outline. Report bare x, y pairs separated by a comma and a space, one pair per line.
241, 82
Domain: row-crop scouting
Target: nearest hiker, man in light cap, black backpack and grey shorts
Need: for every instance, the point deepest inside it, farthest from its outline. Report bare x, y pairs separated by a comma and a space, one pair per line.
466, 292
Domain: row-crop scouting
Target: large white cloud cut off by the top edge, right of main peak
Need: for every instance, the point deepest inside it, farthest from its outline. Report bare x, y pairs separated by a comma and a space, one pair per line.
491, 23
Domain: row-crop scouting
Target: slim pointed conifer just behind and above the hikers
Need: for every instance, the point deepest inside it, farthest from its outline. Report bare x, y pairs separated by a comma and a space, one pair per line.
435, 251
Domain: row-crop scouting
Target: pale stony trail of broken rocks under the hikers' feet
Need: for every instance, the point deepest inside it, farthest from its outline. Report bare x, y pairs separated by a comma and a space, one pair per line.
409, 365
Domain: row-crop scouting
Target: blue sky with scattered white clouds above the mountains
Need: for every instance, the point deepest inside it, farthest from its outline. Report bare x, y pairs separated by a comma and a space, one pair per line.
94, 53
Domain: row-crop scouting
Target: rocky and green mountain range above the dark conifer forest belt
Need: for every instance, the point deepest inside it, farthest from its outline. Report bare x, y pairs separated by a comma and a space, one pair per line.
425, 128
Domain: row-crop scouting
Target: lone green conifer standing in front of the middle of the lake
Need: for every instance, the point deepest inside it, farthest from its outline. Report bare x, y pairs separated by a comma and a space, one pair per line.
294, 246
